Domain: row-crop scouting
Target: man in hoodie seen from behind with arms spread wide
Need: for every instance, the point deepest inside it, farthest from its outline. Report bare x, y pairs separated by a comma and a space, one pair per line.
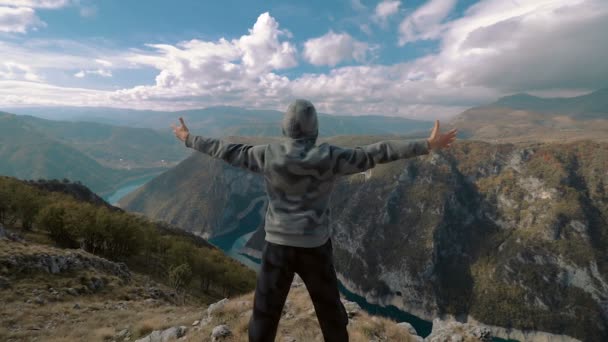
299, 176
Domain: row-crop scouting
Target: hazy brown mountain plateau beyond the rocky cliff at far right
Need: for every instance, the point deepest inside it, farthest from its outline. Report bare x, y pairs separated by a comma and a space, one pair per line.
526, 118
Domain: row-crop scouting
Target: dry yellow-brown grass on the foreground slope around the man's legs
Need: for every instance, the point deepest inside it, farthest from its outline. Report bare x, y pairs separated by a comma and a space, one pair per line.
100, 316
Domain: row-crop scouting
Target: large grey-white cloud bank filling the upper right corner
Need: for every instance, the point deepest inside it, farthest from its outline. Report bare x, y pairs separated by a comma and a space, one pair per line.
535, 45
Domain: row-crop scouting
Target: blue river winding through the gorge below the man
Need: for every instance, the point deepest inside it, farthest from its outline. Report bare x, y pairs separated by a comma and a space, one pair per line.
232, 243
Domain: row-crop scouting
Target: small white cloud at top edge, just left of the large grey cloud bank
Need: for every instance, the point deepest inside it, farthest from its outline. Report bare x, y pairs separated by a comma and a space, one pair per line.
425, 22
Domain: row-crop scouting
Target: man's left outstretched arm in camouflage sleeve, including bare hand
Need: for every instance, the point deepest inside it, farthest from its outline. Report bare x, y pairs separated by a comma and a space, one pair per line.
241, 155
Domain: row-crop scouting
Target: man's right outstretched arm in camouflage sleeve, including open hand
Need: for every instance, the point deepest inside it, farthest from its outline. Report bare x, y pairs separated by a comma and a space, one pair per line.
347, 161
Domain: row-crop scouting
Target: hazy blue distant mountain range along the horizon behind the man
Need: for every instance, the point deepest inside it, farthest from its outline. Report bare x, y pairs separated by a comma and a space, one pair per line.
225, 120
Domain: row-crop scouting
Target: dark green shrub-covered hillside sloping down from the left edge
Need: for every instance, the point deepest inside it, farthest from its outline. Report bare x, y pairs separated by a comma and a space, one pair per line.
153, 248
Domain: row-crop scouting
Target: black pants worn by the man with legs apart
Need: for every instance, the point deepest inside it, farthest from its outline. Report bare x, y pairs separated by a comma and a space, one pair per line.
315, 267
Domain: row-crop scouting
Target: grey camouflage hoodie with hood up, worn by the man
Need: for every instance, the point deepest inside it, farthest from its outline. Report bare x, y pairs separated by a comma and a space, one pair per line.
299, 175
